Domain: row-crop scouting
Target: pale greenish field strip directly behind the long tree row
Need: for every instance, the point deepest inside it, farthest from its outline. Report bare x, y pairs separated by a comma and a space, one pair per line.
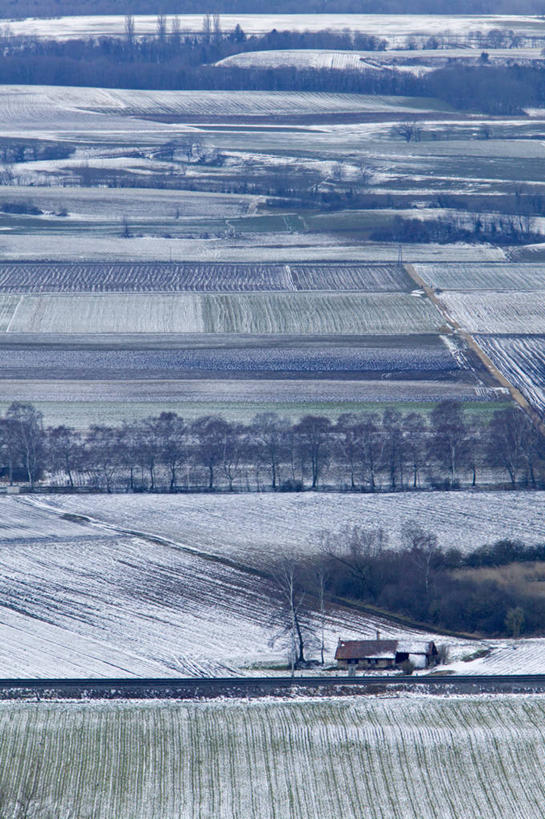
230, 397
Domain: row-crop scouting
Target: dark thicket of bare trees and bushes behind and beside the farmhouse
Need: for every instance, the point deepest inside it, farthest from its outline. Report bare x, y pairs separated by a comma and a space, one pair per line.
444, 589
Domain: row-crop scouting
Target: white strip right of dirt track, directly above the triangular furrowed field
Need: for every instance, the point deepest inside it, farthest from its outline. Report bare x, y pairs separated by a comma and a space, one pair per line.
493, 312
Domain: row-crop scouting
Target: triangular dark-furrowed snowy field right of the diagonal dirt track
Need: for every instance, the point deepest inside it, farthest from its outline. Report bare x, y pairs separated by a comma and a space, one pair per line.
522, 360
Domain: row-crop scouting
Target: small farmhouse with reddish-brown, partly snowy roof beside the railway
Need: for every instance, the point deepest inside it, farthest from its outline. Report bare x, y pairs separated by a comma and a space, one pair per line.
359, 654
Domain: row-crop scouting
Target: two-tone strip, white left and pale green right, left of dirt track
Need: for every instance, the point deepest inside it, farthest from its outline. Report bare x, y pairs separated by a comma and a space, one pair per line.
255, 313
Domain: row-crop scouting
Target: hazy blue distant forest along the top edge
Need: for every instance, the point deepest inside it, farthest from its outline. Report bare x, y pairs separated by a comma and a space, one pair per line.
54, 8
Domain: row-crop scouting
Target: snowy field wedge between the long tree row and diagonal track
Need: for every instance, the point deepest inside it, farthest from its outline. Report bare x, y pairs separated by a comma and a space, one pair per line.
255, 527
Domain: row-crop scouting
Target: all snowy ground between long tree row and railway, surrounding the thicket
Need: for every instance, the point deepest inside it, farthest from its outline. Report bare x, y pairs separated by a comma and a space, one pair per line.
142, 588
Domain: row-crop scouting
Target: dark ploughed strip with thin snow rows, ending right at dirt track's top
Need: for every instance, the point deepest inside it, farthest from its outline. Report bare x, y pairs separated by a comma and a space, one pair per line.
32, 277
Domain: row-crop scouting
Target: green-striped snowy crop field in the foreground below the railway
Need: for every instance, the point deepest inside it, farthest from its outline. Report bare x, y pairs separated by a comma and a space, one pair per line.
407, 758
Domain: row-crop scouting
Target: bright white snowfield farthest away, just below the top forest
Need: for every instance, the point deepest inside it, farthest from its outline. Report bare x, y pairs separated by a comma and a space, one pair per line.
395, 28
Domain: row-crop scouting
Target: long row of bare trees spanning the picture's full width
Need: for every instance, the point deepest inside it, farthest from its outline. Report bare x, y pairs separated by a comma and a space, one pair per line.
357, 452
